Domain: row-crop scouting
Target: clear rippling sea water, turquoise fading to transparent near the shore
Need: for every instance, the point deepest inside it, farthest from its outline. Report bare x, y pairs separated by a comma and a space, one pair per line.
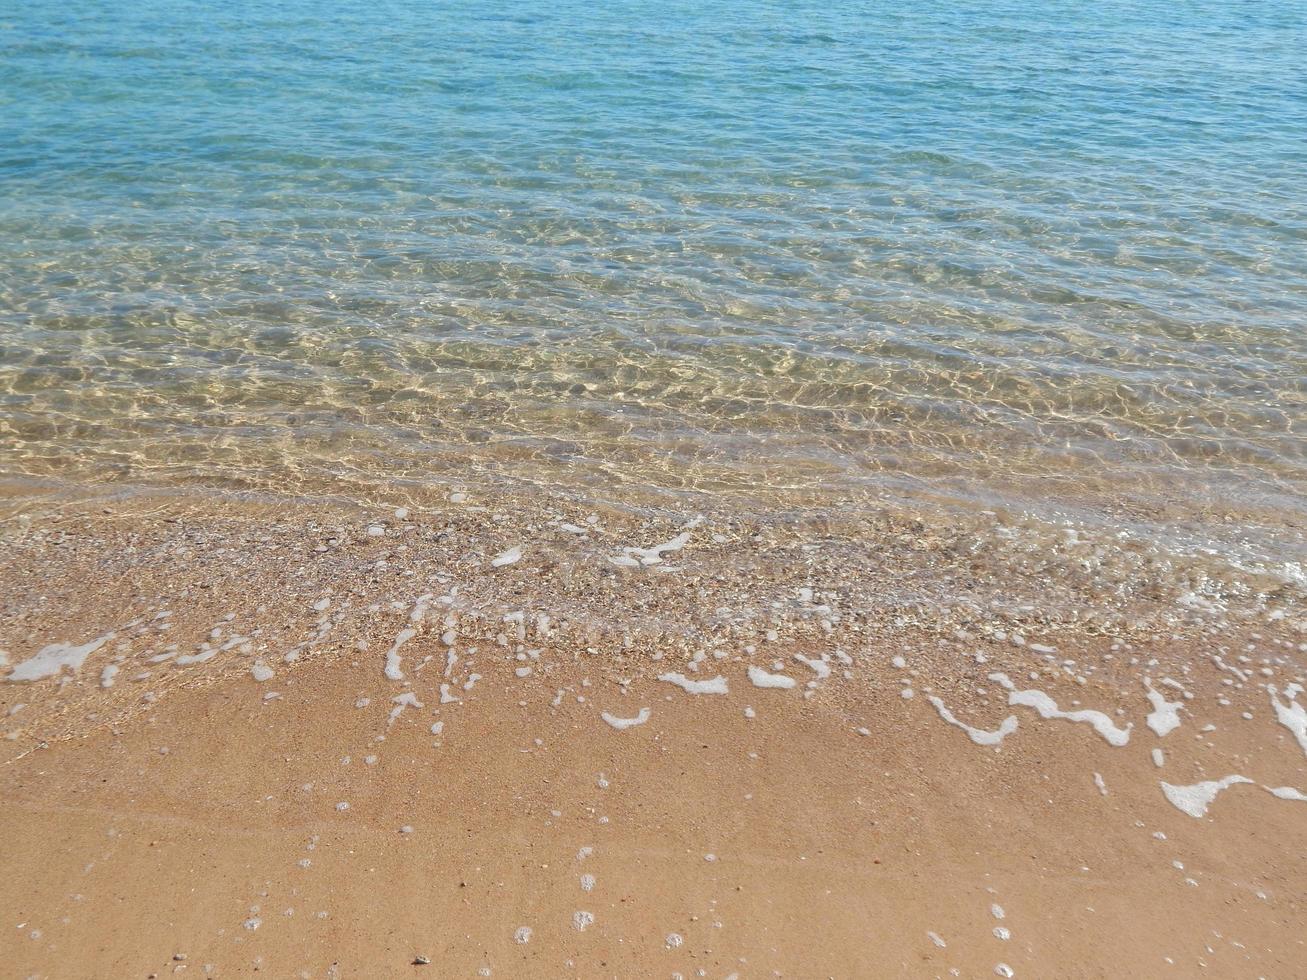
1040, 253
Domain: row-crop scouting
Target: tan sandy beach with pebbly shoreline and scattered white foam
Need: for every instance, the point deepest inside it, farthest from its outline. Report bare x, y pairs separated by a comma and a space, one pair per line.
530, 740
